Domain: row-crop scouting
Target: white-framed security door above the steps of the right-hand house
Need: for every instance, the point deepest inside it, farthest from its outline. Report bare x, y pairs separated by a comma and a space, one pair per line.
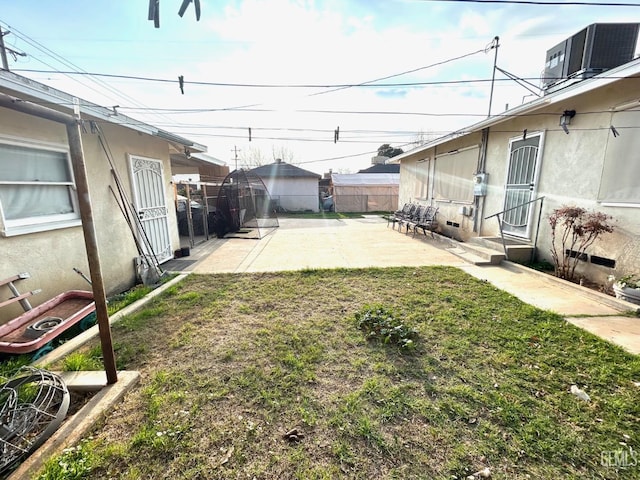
520, 187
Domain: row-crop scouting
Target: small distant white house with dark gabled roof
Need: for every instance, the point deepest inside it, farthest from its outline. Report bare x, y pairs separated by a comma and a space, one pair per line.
291, 188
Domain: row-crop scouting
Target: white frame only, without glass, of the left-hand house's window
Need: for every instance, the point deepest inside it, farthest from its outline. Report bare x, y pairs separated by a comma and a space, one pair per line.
22, 226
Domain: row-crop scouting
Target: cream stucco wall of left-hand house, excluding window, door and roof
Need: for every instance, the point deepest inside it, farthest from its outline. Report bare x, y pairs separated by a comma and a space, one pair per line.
50, 256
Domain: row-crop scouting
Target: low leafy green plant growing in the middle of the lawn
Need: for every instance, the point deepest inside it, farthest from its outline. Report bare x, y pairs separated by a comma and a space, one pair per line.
383, 324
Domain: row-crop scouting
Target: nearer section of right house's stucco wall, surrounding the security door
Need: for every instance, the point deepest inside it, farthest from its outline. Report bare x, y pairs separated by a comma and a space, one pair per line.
569, 174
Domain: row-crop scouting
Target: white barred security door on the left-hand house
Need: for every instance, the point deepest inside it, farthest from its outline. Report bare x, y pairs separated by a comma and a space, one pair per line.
150, 203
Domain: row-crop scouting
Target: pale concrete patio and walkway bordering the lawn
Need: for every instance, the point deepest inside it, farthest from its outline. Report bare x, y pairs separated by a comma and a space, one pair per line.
368, 242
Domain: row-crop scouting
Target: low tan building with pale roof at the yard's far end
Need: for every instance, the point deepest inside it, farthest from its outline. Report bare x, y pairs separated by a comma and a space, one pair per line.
365, 192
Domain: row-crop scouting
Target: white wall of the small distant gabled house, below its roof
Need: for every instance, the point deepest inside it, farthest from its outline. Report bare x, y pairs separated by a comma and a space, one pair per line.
294, 193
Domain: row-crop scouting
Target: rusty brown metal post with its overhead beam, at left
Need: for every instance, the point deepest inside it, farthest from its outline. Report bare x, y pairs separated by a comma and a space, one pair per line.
72, 125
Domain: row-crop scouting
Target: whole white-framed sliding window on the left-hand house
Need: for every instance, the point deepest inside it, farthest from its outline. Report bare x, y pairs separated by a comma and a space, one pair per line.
36, 188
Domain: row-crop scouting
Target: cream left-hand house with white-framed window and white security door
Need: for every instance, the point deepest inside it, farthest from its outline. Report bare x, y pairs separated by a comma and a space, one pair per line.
129, 166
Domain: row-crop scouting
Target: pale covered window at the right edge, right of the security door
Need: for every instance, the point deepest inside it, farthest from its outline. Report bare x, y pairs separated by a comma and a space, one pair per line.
619, 184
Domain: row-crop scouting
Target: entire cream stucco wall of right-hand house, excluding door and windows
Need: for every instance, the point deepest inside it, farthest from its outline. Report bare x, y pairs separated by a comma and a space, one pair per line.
569, 174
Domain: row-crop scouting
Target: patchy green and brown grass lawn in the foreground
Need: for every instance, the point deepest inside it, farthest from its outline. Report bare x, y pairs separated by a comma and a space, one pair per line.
231, 363
